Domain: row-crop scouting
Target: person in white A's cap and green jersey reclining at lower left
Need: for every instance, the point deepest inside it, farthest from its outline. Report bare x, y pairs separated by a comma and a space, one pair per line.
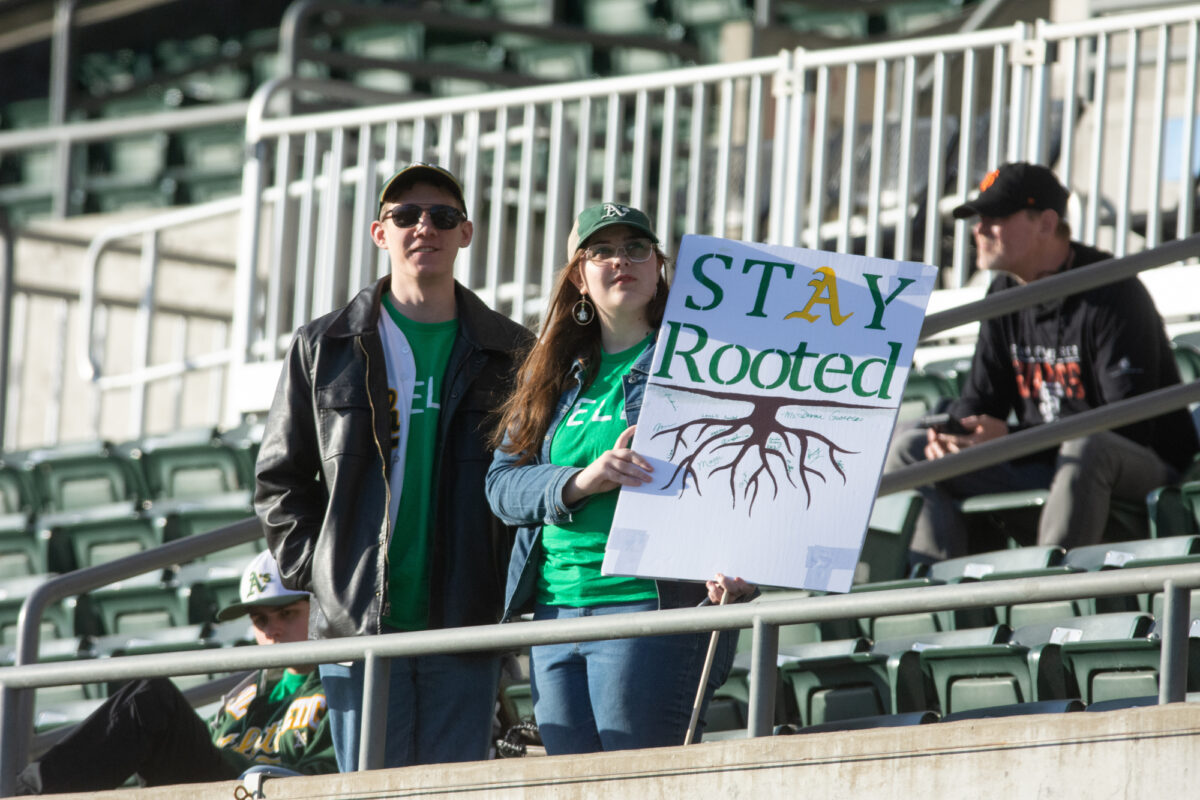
274, 718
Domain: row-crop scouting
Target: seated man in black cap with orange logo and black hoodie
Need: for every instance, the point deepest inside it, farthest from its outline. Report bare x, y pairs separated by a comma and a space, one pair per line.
1046, 363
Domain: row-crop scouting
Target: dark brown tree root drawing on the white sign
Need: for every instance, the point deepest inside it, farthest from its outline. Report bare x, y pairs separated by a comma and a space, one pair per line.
758, 441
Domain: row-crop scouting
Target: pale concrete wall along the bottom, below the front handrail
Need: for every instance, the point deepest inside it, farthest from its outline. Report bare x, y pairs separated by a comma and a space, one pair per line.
1137, 754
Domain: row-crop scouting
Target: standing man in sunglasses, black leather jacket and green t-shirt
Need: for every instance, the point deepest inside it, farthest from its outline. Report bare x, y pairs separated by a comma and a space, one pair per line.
371, 476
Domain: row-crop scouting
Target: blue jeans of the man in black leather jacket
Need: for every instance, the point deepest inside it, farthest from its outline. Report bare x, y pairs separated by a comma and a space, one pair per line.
440, 709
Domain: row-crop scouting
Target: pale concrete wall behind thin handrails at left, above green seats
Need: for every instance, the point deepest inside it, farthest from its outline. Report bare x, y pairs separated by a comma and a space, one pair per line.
45, 376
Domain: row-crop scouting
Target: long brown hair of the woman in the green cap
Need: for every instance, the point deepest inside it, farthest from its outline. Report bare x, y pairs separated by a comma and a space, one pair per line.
545, 372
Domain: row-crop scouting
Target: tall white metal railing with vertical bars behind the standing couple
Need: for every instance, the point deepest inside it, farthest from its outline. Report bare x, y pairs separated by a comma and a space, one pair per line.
860, 149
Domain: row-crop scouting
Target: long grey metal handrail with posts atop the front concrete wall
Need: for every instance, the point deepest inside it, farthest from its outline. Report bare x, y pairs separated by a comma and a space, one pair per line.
764, 617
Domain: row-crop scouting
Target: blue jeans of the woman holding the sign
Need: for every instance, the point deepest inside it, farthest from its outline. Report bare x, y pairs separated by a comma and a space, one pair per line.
621, 694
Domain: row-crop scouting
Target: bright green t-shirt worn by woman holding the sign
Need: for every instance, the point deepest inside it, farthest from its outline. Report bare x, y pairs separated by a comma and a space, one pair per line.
574, 552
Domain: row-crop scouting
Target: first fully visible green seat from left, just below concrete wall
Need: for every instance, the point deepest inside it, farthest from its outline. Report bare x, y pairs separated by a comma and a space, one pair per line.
85, 476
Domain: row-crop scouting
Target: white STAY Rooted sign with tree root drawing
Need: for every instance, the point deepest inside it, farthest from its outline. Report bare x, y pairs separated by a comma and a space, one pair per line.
777, 380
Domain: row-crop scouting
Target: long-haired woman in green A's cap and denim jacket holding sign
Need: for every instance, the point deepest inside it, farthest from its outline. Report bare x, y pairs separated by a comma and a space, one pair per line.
562, 456
